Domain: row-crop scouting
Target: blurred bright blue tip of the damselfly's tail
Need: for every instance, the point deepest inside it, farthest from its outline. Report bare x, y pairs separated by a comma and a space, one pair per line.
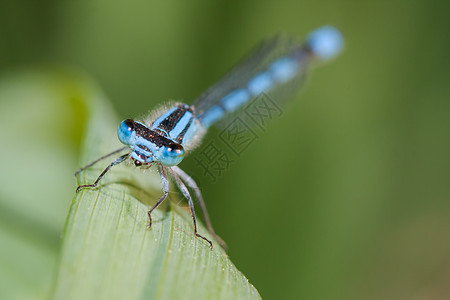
325, 42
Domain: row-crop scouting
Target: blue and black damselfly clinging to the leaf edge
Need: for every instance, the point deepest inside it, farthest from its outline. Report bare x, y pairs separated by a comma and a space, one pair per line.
164, 139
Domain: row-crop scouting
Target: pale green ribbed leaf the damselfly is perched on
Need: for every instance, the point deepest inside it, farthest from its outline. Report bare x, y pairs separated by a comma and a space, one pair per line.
108, 251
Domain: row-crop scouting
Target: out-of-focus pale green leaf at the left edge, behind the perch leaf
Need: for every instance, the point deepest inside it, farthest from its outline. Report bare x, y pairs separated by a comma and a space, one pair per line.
41, 116
